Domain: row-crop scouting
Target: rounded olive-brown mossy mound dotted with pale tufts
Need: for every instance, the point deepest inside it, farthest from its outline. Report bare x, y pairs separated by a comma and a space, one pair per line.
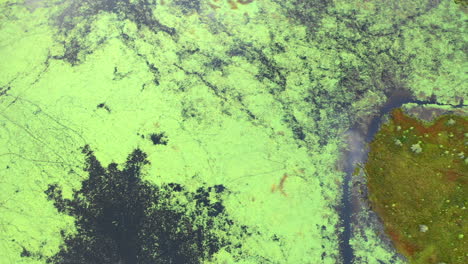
421, 195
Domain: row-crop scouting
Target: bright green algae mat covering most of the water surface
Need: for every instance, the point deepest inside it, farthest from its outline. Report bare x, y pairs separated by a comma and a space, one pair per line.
243, 95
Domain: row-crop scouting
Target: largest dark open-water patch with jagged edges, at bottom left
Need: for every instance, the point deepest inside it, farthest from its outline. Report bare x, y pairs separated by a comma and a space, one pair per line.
121, 218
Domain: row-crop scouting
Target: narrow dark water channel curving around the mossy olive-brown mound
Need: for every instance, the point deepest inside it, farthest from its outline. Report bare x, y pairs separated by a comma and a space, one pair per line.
357, 139
